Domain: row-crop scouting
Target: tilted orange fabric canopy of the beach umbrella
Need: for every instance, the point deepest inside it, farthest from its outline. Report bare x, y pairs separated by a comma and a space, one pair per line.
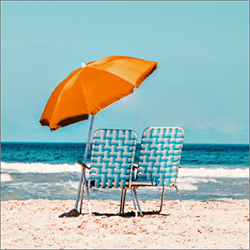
89, 89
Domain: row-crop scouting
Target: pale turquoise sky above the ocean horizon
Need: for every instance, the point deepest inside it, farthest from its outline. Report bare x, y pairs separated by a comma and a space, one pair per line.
201, 47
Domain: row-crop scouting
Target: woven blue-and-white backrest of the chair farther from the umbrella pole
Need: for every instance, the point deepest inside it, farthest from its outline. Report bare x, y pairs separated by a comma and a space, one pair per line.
160, 154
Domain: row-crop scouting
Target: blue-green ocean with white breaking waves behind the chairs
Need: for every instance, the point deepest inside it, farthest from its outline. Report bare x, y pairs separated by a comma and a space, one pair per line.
49, 171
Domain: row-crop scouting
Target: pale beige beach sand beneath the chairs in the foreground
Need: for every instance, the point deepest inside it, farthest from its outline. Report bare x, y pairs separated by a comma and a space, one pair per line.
35, 224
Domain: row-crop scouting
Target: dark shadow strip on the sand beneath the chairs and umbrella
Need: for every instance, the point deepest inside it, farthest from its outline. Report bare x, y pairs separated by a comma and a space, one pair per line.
75, 213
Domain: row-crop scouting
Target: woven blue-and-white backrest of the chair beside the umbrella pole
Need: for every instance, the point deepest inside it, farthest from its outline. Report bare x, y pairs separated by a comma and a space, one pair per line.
112, 157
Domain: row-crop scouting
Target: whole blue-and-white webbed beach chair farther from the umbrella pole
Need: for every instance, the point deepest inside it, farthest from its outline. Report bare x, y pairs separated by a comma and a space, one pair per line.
159, 162
